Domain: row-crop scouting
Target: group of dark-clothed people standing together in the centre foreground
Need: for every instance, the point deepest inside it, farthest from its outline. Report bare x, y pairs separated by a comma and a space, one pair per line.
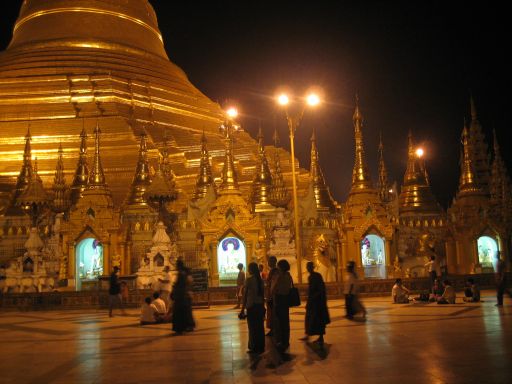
267, 301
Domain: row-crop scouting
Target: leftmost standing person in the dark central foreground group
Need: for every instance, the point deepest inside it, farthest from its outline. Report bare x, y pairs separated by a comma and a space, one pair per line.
253, 300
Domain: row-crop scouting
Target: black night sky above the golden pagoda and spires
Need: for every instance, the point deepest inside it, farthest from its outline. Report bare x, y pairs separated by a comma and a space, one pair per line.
413, 64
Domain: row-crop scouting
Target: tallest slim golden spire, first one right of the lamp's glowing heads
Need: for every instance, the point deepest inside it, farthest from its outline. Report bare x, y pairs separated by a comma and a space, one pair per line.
360, 175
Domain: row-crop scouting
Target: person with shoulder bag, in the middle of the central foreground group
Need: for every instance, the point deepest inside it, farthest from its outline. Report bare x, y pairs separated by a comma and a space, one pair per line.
281, 309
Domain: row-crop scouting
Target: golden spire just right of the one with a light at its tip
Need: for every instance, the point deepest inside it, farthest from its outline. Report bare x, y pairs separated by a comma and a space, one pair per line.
262, 182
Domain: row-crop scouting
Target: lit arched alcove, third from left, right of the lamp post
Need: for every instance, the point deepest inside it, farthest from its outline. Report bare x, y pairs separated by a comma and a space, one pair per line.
373, 257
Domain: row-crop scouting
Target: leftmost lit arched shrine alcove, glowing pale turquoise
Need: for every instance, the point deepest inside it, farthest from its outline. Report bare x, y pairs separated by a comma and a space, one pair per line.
89, 261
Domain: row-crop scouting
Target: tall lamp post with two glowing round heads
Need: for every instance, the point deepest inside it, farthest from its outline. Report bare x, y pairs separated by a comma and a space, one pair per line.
294, 120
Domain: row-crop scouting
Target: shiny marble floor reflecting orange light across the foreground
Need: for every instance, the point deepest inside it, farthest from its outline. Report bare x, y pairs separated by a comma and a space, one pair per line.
411, 343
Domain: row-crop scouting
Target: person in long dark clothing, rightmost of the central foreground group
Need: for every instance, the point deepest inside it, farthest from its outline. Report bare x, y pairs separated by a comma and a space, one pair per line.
317, 314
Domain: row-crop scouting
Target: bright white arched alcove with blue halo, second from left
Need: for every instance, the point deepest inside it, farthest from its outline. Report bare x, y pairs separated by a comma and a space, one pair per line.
230, 252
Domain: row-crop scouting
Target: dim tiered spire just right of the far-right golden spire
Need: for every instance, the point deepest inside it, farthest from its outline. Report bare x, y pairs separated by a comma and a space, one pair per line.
478, 149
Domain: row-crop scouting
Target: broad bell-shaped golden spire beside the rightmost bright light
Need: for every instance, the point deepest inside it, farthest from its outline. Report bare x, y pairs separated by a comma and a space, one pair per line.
416, 195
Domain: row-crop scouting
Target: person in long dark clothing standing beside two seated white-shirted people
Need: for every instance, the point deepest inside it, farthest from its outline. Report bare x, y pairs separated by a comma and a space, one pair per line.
182, 319
